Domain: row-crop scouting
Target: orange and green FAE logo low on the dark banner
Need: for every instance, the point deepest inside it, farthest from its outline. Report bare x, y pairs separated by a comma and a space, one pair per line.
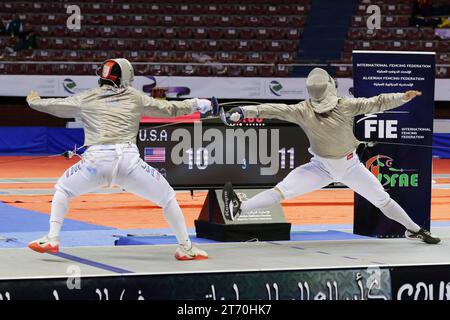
382, 167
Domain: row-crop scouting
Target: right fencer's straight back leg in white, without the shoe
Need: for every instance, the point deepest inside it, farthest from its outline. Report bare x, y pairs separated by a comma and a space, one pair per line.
363, 182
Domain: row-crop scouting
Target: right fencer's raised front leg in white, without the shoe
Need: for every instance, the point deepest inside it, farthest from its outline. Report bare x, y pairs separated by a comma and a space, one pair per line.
301, 180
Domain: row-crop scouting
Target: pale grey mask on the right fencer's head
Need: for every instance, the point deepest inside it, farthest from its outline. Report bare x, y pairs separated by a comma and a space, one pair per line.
322, 90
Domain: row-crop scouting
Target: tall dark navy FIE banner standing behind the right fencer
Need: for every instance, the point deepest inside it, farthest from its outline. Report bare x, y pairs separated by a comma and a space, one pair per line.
403, 167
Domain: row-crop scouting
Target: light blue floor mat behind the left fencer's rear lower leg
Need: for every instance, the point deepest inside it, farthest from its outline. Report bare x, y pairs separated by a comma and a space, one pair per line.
14, 219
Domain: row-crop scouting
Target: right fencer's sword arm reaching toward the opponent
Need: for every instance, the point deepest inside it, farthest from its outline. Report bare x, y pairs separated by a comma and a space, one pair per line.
290, 113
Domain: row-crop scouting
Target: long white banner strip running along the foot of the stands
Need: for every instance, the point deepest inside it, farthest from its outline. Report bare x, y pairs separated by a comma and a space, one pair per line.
186, 87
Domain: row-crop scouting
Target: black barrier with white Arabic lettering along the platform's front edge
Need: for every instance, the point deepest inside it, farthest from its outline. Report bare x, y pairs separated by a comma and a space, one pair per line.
371, 283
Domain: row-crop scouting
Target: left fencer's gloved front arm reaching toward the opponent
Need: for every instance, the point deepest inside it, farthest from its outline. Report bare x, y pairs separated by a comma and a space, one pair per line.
167, 109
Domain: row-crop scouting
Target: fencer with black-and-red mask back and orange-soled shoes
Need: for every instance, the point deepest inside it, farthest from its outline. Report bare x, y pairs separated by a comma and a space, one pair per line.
111, 115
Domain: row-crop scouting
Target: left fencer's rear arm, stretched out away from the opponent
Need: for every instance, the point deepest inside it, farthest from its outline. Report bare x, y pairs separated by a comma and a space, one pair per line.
69, 107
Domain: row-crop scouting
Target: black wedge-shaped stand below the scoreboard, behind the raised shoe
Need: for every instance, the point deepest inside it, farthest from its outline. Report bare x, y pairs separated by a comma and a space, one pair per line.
259, 225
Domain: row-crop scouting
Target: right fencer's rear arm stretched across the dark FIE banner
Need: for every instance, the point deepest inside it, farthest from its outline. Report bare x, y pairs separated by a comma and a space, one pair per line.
380, 103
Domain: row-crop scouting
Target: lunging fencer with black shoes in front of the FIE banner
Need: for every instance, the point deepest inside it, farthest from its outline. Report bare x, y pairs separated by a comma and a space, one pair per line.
327, 121
